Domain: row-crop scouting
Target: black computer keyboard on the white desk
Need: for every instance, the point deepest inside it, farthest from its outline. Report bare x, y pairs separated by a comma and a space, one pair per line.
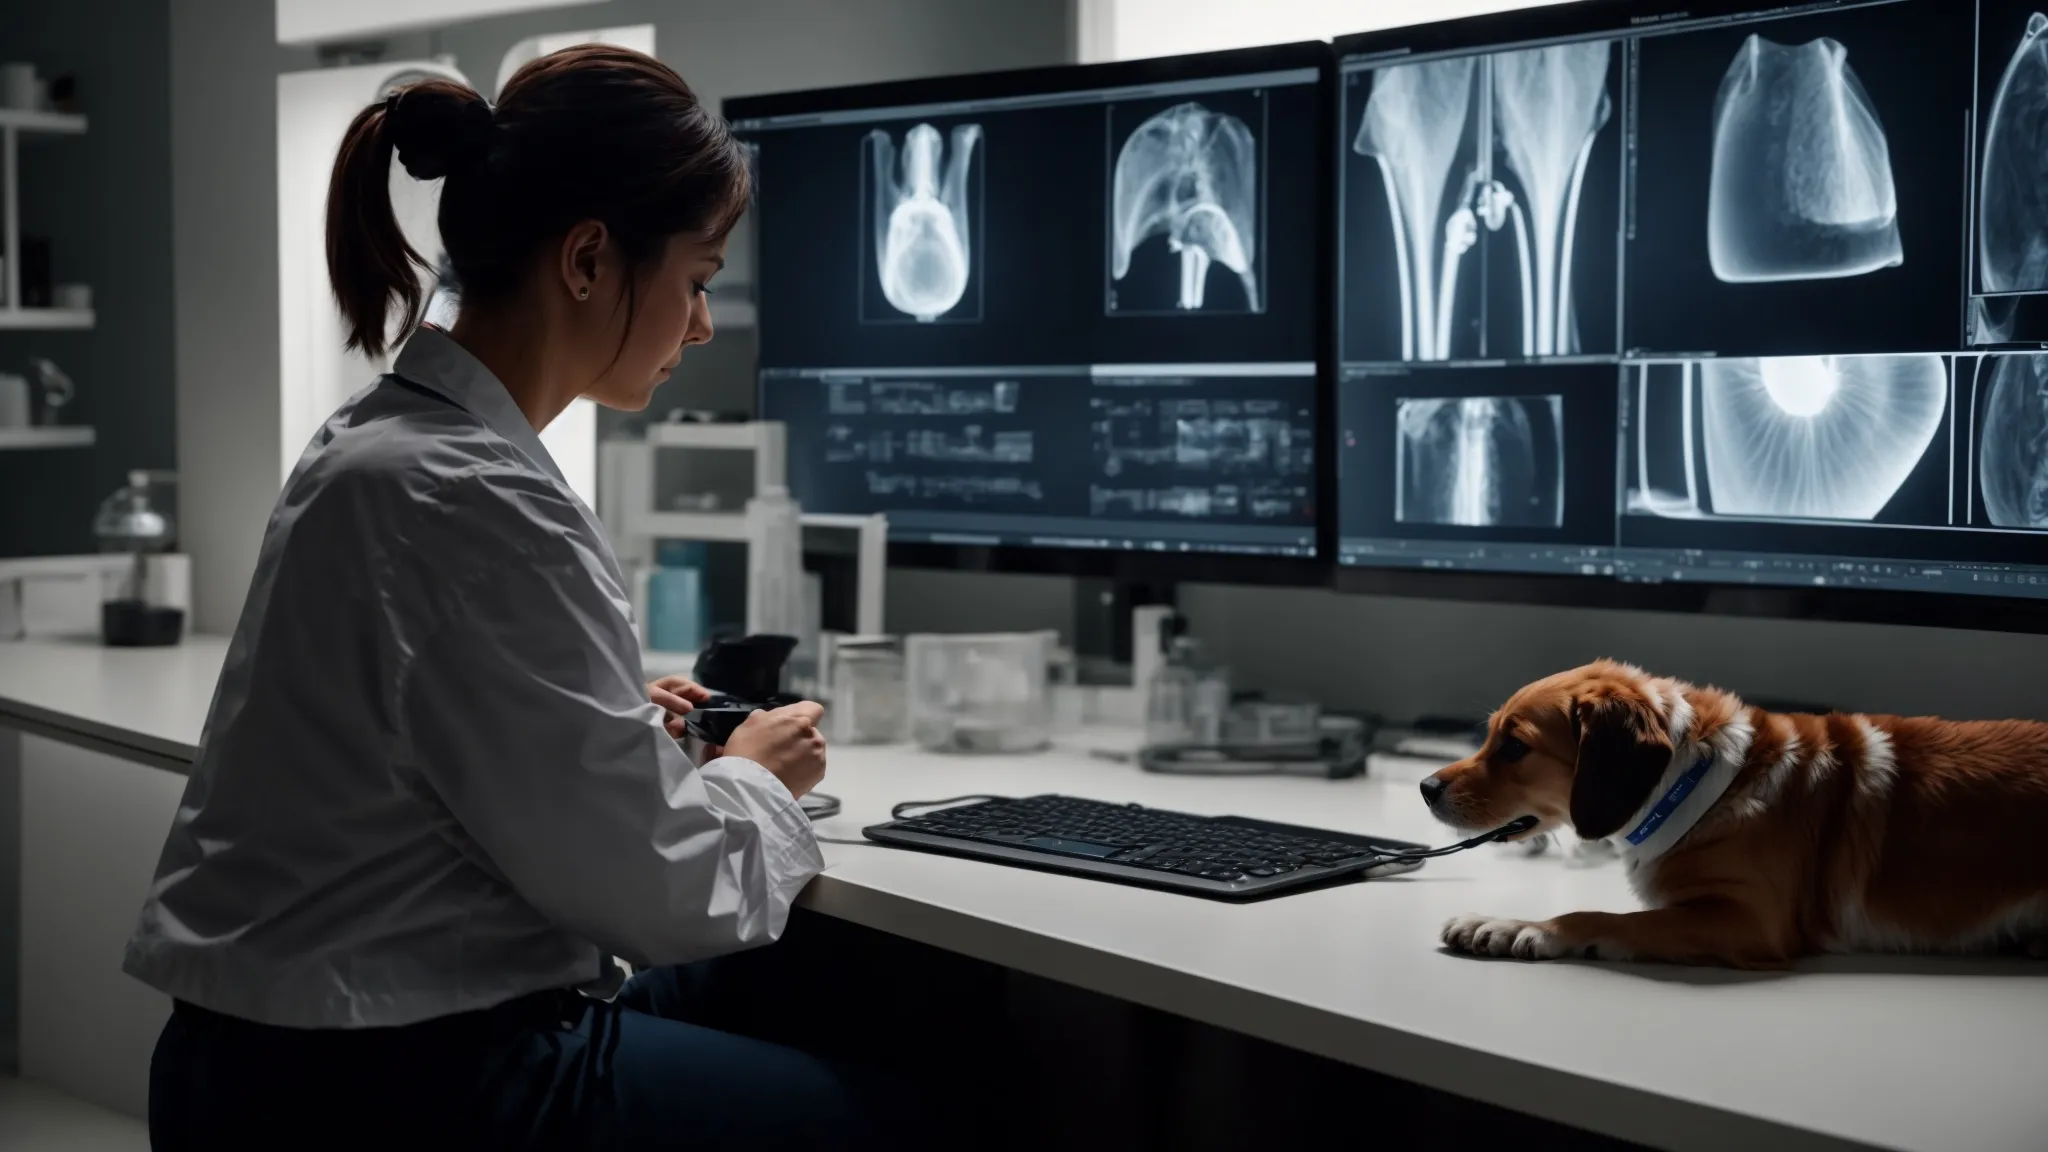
1207, 856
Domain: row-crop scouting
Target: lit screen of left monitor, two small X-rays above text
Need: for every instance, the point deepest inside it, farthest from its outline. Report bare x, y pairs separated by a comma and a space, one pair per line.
1062, 321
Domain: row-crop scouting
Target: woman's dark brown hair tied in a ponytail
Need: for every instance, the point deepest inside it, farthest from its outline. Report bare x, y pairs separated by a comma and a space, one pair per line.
589, 132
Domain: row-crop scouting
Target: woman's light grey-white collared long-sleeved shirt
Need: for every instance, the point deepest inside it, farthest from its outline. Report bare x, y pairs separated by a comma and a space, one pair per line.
431, 778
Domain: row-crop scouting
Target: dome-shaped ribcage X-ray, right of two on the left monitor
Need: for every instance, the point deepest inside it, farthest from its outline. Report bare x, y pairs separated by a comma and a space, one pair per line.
1189, 177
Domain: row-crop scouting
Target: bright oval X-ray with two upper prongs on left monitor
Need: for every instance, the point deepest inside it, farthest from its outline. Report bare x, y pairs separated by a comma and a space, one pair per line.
921, 218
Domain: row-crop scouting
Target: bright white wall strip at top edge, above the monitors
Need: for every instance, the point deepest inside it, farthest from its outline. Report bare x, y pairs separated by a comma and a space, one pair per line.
1132, 30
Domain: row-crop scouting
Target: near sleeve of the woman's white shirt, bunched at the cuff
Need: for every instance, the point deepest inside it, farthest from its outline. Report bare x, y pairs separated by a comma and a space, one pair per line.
525, 714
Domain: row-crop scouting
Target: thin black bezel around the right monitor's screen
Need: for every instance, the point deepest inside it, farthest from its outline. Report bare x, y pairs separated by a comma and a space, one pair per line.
1689, 598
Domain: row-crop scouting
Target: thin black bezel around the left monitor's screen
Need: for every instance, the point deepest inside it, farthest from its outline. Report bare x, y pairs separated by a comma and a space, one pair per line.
1132, 565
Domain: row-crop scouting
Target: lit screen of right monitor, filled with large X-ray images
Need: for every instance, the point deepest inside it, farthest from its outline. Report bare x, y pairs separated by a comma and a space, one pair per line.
1709, 304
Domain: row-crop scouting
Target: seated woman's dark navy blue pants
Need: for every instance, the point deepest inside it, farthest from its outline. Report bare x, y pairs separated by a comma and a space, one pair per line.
660, 1067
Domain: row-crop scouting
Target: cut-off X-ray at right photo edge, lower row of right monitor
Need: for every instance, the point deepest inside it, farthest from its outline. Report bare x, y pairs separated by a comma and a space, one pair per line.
2012, 442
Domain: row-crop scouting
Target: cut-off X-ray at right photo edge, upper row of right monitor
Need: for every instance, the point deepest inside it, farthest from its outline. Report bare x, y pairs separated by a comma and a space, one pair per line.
2012, 212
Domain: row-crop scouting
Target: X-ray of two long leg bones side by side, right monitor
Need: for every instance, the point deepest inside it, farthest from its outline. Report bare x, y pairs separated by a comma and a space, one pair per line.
1486, 147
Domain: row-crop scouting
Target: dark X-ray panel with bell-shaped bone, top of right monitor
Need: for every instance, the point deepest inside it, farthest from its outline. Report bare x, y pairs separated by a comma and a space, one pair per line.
1799, 186
